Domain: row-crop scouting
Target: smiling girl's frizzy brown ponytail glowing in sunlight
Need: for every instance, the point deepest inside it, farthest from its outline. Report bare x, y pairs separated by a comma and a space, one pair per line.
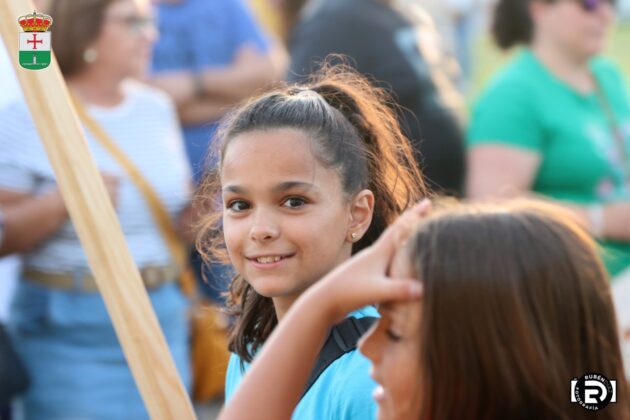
393, 173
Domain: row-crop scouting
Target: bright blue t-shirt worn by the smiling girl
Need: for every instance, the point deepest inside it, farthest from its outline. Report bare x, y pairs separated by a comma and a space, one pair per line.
342, 392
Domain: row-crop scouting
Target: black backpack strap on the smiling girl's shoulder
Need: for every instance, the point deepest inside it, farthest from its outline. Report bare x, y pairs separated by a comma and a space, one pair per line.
342, 339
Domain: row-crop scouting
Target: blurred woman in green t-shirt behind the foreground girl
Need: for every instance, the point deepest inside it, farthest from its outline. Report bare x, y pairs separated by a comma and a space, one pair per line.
556, 120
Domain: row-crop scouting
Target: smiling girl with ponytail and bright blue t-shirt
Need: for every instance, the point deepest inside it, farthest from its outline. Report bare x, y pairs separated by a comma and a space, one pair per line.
308, 175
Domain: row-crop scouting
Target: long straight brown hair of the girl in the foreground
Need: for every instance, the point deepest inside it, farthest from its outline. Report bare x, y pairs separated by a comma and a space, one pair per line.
516, 304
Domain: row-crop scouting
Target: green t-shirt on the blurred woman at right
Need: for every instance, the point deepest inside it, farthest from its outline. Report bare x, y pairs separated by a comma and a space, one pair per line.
528, 107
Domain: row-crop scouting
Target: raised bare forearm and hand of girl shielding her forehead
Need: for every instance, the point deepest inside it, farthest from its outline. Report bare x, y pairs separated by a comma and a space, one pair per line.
288, 357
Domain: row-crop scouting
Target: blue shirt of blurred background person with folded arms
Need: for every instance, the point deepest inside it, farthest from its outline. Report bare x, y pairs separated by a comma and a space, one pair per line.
200, 34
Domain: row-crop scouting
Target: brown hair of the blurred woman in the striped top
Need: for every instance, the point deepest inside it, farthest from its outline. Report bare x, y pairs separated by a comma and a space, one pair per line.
77, 25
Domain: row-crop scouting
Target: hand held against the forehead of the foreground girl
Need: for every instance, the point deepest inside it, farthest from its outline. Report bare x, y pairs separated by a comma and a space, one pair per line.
364, 280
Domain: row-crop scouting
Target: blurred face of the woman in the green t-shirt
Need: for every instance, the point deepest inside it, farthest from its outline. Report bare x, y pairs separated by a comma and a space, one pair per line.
577, 26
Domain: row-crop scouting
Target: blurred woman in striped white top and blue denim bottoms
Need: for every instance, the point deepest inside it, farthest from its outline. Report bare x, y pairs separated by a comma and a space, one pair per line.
59, 321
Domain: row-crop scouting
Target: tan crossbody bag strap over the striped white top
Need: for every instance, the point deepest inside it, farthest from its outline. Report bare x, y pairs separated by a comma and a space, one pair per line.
157, 208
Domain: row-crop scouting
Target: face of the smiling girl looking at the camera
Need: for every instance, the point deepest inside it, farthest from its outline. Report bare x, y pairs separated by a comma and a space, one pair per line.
285, 218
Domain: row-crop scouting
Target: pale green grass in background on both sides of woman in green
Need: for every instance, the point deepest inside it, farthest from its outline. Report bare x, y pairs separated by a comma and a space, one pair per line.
488, 58
